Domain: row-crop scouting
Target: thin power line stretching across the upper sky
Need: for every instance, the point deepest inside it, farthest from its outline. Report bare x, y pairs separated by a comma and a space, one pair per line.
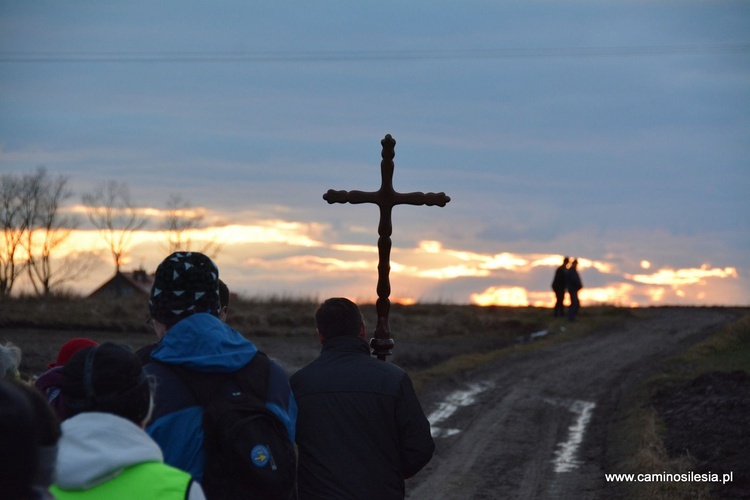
123, 57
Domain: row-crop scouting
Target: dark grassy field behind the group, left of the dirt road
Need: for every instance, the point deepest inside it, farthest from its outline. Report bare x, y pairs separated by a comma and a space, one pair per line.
432, 340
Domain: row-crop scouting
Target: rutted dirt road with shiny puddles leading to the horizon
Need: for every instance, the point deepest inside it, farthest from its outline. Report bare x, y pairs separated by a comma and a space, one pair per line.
534, 425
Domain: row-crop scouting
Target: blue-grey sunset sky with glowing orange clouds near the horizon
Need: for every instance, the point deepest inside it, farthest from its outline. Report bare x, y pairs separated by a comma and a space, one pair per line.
615, 132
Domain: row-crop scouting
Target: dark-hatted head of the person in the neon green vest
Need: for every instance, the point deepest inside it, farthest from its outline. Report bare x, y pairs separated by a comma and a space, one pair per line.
107, 378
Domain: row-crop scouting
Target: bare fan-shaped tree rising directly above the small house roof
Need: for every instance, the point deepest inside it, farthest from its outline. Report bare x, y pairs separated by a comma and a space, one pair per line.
111, 211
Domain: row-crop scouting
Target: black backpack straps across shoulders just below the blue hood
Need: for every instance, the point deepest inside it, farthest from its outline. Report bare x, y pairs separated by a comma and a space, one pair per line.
251, 378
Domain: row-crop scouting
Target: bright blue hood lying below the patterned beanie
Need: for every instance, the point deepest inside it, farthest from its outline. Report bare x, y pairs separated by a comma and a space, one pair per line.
204, 343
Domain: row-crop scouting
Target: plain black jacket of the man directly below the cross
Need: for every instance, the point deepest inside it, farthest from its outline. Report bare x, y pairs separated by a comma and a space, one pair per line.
360, 427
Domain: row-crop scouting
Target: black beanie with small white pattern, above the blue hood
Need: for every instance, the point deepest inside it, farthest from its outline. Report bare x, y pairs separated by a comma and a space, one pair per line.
185, 283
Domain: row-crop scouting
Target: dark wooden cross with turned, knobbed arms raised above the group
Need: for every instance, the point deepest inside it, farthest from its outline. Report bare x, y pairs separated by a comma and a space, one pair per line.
386, 198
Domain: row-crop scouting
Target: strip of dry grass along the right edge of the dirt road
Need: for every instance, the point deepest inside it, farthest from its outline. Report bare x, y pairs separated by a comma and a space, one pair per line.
638, 447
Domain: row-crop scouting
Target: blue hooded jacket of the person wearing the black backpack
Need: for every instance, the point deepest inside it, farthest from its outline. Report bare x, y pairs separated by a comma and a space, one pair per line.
203, 343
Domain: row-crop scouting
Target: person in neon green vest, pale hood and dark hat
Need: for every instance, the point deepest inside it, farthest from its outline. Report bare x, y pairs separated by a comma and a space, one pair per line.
104, 451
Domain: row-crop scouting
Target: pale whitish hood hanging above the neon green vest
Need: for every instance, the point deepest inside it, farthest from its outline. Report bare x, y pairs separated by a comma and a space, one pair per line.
95, 447
